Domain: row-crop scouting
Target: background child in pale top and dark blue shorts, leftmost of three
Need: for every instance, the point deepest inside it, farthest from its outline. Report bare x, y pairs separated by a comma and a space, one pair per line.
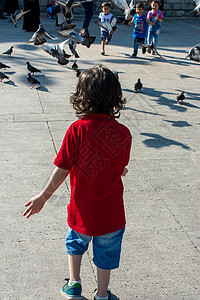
105, 16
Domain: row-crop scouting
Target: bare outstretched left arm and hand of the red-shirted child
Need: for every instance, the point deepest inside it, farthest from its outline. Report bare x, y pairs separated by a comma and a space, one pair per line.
36, 203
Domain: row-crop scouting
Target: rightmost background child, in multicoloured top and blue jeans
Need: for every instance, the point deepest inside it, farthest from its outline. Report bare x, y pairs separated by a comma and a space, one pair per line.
155, 17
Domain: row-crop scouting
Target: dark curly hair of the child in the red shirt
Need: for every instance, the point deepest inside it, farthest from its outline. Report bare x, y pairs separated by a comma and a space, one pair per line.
98, 91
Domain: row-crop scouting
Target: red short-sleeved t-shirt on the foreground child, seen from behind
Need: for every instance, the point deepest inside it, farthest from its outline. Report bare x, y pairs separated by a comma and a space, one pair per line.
95, 149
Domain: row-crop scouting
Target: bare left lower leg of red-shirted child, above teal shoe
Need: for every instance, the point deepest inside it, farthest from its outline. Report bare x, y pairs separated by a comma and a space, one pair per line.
74, 266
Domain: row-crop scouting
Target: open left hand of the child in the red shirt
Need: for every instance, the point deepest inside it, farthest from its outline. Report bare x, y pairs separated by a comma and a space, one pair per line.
35, 204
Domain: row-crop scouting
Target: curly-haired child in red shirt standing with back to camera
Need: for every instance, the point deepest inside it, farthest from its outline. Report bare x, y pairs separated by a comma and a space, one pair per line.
95, 152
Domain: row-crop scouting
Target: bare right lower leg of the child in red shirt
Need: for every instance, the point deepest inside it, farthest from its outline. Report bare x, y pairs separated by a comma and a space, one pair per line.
103, 277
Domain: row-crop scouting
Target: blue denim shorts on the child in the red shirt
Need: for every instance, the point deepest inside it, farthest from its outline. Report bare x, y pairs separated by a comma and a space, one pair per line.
106, 248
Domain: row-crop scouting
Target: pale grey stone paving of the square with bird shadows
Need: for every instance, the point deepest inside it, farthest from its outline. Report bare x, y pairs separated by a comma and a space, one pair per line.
160, 256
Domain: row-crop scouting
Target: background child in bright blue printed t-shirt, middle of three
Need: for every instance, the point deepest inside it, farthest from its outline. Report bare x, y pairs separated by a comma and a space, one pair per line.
140, 27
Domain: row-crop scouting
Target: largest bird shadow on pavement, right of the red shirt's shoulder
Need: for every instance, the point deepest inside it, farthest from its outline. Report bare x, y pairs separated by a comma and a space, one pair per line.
158, 141
